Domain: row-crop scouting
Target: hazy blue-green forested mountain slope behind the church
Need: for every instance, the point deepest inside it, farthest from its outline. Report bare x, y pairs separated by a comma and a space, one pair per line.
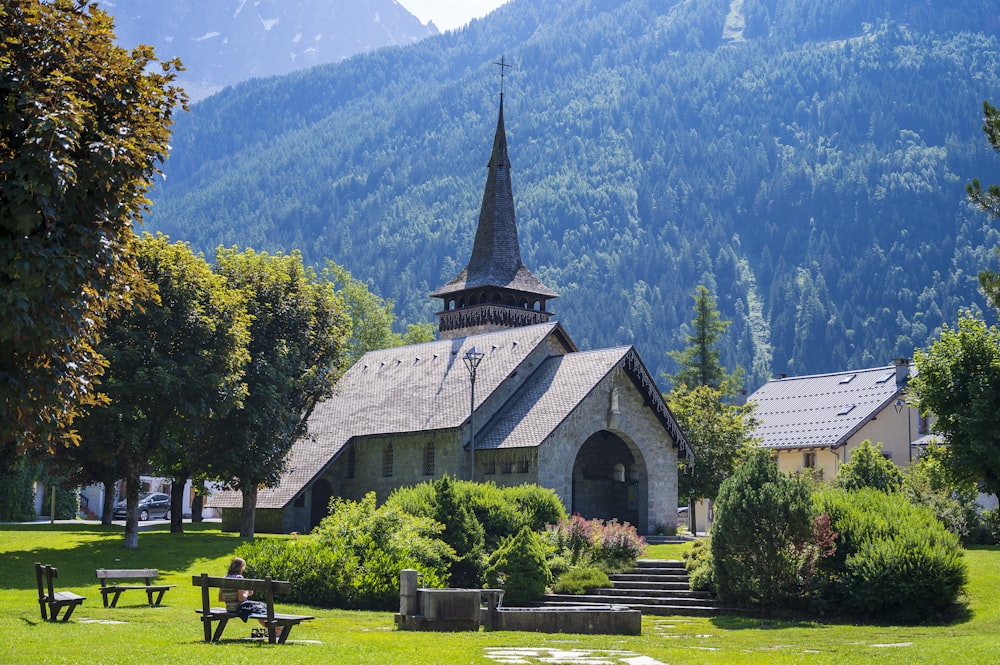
806, 160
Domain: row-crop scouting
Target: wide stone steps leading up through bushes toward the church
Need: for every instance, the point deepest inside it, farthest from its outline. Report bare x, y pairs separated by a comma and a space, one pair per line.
653, 586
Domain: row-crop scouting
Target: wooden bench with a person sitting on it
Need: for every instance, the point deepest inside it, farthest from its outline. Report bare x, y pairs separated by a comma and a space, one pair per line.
264, 590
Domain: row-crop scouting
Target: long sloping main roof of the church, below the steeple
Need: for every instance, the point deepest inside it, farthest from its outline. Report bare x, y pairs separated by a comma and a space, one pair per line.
405, 389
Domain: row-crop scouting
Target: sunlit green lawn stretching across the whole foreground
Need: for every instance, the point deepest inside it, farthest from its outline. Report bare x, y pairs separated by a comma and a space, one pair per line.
134, 633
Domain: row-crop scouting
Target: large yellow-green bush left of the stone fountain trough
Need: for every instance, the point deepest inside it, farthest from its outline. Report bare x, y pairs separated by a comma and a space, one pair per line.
352, 560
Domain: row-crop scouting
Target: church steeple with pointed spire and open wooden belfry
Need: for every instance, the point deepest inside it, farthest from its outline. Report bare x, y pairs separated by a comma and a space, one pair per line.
495, 291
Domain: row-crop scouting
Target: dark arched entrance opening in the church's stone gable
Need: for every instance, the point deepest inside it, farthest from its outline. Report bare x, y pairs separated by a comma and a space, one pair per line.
609, 481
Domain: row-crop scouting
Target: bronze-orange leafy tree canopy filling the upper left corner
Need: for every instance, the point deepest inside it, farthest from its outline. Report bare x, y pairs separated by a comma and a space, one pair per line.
83, 124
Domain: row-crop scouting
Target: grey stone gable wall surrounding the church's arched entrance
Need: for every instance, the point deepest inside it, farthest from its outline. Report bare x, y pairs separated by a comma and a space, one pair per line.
637, 425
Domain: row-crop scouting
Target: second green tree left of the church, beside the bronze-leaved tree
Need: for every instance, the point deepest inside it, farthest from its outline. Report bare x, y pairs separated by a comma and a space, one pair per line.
174, 363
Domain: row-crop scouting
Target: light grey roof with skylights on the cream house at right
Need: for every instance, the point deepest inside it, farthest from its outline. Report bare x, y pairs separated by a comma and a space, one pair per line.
822, 410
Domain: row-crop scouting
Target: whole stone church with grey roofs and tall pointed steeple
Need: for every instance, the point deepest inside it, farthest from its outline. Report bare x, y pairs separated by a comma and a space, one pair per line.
503, 396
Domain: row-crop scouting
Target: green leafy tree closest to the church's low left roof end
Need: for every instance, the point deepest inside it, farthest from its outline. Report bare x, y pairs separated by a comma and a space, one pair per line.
298, 341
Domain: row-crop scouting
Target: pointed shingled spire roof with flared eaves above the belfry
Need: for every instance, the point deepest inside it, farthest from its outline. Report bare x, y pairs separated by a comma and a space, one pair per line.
496, 252
